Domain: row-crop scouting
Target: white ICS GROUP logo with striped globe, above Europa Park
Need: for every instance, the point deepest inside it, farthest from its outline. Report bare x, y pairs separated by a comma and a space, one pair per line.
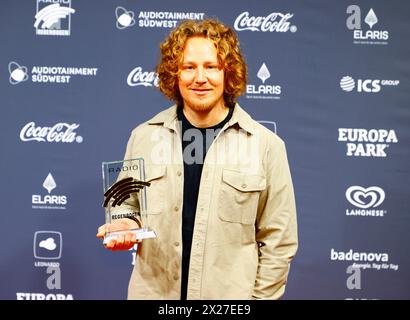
348, 84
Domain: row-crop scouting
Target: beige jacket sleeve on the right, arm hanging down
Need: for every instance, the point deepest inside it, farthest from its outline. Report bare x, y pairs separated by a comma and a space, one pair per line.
276, 225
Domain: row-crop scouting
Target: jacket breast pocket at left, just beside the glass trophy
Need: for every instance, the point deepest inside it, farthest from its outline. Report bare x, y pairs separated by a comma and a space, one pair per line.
156, 192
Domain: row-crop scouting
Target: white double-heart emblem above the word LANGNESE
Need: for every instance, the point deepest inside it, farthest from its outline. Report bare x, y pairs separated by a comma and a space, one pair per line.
365, 198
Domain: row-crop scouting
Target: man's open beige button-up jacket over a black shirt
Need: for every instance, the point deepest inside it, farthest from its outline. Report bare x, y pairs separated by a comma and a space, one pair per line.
245, 232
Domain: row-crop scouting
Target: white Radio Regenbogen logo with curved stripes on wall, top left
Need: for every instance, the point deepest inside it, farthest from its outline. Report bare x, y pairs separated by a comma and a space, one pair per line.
53, 17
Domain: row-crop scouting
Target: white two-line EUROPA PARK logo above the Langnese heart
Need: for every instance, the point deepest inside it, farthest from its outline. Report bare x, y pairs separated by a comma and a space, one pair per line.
367, 143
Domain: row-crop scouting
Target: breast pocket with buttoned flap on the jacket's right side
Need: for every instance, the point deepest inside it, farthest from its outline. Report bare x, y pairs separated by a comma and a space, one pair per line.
239, 196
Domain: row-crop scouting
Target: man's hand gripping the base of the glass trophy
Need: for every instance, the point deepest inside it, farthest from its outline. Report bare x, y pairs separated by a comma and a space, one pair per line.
124, 241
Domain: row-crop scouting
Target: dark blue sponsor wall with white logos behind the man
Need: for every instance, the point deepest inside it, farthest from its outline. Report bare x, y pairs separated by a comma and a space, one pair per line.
331, 82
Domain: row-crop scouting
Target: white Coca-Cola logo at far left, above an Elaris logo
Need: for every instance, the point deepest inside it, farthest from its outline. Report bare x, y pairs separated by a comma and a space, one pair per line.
60, 132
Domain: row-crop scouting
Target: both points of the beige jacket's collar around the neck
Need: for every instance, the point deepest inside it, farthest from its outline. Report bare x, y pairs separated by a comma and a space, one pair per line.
168, 118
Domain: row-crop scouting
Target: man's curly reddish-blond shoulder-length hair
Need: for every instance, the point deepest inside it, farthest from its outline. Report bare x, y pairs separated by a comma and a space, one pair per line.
228, 52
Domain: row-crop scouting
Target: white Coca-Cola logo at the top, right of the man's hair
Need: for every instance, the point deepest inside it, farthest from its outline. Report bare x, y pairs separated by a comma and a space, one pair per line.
274, 22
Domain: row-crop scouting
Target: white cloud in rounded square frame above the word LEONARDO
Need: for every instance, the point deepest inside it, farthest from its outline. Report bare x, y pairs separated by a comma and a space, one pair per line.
48, 245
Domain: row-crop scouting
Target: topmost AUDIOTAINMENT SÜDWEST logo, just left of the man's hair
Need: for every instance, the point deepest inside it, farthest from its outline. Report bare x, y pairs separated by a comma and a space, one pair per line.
153, 19
